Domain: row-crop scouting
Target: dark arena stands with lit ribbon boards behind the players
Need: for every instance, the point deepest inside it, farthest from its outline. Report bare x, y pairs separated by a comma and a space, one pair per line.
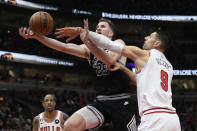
37, 69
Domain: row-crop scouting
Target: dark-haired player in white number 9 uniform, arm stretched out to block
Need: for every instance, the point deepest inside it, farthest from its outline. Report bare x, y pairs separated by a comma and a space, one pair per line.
153, 78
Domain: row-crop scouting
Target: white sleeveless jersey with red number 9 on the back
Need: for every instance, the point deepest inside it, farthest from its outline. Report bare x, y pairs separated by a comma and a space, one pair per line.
154, 85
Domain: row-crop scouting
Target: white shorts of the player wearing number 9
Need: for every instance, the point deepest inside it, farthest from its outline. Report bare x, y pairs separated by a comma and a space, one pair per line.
160, 122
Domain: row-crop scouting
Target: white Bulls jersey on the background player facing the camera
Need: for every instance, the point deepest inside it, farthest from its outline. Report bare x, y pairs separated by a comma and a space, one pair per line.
54, 125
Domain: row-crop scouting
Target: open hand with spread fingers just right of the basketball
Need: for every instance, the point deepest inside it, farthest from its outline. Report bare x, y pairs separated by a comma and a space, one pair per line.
71, 32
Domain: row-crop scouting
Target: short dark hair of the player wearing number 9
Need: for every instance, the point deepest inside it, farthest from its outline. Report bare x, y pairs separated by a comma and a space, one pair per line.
165, 38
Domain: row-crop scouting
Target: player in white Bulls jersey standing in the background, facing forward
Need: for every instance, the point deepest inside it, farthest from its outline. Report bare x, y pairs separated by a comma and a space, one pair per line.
50, 119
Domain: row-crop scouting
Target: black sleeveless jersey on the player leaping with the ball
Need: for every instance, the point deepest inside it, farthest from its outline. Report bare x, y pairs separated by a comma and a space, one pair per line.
108, 82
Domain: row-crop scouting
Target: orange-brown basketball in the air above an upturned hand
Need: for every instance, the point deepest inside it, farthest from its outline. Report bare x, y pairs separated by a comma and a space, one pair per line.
41, 23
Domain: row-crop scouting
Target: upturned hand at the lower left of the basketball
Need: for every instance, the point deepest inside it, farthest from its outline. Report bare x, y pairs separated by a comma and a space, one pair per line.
27, 33
